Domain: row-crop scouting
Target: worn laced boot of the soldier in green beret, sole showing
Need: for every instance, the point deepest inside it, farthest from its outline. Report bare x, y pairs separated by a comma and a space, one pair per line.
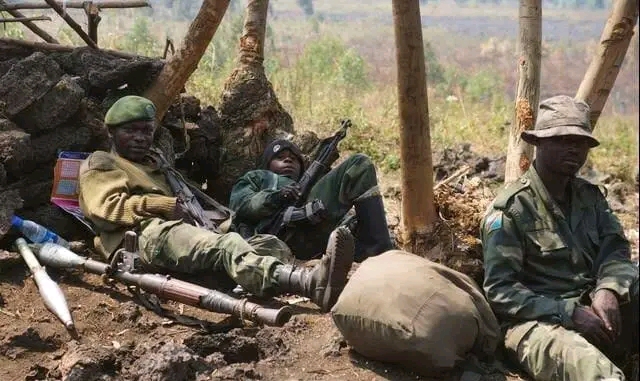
324, 283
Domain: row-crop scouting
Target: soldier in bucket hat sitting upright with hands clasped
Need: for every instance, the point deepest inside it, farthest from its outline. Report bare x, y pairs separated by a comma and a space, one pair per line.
558, 272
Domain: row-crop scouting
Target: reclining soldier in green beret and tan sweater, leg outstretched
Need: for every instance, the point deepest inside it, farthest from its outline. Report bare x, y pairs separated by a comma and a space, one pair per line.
127, 189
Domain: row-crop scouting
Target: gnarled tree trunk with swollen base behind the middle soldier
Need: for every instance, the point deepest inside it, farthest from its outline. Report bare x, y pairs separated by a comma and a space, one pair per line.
250, 113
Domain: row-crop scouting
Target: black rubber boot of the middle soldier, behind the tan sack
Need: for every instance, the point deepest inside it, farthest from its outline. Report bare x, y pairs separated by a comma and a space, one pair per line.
372, 232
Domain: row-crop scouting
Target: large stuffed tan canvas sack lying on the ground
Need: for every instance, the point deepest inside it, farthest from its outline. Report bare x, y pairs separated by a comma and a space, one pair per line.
401, 308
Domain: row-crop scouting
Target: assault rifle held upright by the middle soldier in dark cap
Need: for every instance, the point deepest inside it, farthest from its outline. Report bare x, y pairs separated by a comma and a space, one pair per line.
323, 160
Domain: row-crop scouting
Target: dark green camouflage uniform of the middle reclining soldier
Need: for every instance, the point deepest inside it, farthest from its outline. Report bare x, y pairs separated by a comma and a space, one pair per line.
351, 181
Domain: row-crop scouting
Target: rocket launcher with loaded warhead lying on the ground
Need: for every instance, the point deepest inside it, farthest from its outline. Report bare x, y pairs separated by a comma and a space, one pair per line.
122, 268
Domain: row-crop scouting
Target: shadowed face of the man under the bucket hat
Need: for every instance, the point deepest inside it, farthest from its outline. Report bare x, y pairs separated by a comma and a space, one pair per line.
563, 155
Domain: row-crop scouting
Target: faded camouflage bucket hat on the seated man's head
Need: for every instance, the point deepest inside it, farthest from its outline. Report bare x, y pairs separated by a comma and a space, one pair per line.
561, 115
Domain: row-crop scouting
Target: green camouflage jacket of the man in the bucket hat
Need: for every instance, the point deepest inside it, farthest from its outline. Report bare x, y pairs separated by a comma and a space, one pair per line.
538, 263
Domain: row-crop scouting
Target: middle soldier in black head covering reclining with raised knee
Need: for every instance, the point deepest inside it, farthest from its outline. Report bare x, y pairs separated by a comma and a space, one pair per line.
260, 194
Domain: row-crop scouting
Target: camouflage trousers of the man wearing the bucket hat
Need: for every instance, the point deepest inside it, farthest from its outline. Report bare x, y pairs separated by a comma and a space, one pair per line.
549, 352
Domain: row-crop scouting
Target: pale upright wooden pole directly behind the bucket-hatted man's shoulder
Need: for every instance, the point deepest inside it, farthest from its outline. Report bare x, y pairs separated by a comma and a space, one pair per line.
519, 153
